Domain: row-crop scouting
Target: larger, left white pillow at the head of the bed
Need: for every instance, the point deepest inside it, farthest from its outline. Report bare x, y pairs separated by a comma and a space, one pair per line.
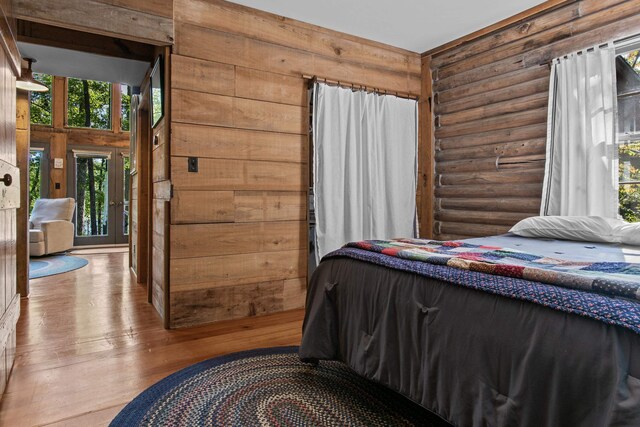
581, 228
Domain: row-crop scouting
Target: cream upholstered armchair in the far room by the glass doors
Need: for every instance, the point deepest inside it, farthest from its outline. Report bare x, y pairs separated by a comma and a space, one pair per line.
50, 226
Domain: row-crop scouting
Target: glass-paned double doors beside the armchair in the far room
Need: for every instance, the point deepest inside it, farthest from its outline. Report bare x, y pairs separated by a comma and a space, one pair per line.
98, 180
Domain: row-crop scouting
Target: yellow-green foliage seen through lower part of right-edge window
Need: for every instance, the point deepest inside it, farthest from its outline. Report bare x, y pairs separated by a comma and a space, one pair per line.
629, 171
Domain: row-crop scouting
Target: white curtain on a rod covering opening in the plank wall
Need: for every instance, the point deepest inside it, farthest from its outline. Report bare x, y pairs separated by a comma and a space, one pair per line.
364, 166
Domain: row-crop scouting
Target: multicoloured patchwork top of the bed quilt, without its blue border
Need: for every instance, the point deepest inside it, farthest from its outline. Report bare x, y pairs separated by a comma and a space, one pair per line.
619, 279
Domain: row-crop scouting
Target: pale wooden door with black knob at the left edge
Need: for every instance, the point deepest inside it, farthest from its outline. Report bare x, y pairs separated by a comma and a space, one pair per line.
9, 193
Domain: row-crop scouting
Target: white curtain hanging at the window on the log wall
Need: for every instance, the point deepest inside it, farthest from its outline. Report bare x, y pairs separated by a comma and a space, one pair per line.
581, 166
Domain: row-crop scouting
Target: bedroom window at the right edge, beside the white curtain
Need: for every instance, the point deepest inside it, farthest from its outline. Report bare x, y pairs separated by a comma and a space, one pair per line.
628, 86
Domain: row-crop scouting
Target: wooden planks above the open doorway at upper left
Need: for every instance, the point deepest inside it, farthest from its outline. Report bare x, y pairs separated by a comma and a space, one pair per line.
149, 21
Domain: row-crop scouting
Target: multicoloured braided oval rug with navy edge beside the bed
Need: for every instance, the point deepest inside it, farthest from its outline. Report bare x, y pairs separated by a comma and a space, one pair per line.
270, 387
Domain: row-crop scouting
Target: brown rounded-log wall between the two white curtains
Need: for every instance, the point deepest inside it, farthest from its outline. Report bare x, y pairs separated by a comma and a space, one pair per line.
491, 98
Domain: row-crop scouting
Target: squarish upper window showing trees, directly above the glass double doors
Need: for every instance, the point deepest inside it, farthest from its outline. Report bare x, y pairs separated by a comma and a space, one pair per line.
89, 104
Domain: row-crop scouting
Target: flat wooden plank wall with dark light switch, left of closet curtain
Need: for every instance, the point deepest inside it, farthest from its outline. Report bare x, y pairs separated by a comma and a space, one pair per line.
239, 104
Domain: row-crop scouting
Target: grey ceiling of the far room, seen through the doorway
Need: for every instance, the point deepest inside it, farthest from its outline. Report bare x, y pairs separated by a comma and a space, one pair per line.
82, 65
